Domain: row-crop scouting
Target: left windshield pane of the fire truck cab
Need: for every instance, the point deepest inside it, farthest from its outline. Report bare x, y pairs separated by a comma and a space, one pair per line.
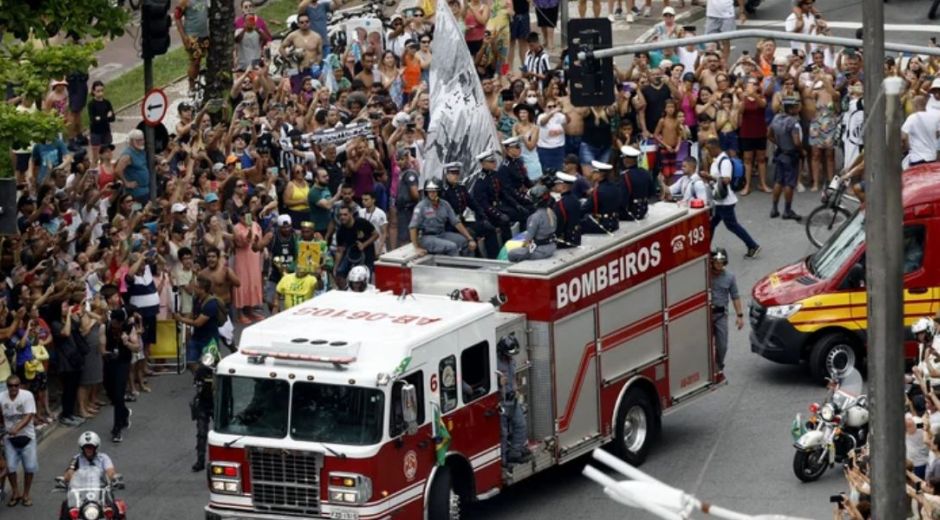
248, 406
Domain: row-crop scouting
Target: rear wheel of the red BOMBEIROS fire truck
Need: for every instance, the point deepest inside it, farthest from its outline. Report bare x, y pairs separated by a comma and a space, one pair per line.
637, 425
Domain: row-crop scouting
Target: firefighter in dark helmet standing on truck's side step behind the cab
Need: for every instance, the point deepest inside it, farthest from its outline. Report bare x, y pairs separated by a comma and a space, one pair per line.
514, 433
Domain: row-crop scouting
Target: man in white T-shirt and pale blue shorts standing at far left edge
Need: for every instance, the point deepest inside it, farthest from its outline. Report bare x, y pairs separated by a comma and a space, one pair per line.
19, 446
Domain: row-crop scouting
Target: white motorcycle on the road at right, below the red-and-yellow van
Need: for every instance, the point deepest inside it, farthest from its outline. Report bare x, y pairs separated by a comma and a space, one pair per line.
834, 430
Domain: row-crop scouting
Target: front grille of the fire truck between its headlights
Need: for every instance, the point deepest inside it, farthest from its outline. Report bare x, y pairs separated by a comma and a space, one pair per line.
285, 480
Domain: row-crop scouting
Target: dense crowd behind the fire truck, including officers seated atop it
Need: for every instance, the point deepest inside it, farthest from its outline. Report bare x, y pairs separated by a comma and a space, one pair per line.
295, 183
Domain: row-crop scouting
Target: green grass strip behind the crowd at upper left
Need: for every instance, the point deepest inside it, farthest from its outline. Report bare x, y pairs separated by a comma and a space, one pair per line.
129, 87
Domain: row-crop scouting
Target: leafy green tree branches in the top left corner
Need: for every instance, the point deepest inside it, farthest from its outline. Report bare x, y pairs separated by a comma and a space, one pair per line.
29, 68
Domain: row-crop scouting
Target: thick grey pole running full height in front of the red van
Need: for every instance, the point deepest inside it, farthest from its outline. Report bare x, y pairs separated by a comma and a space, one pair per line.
884, 249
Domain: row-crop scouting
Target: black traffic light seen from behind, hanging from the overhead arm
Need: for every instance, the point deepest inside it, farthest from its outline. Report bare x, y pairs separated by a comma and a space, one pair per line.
591, 80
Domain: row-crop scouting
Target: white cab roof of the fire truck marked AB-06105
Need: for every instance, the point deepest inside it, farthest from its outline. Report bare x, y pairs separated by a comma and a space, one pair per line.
380, 327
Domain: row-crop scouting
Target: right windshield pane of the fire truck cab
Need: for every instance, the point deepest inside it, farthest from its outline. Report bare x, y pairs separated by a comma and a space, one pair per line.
337, 414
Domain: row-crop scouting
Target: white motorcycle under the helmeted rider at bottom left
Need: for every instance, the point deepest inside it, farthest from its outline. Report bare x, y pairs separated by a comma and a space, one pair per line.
91, 496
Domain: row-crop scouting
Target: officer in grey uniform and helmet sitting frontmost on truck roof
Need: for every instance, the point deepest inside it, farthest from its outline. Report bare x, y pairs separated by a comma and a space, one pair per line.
428, 225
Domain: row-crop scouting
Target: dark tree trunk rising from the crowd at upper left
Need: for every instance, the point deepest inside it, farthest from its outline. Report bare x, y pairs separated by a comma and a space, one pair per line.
221, 46
